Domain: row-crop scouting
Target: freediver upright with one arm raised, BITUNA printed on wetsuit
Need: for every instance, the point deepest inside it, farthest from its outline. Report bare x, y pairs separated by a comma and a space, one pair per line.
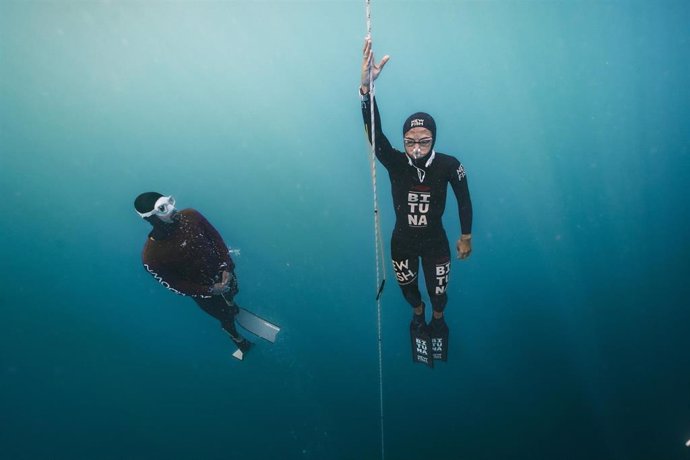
419, 182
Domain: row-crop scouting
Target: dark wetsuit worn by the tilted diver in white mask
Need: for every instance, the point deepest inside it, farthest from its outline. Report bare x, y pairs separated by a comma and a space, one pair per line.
188, 256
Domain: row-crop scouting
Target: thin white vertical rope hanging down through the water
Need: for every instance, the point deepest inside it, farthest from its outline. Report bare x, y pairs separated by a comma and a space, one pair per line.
380, 269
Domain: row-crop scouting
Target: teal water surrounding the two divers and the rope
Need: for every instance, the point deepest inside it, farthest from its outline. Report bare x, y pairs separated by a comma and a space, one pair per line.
568, 323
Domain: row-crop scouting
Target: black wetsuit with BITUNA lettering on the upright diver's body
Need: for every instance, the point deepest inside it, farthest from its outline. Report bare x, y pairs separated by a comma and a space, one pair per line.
419, 197
